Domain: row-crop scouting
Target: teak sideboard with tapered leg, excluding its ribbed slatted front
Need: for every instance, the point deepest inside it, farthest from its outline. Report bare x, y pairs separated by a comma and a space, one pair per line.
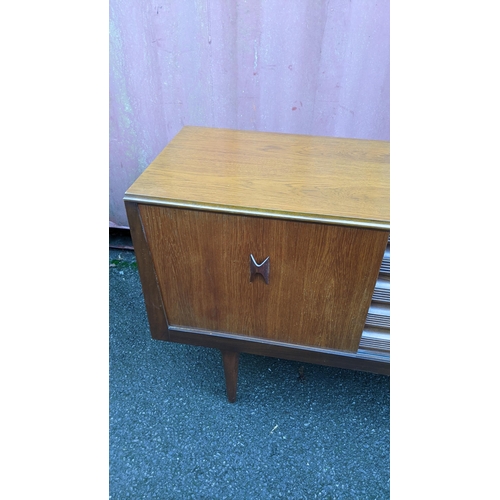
263, 243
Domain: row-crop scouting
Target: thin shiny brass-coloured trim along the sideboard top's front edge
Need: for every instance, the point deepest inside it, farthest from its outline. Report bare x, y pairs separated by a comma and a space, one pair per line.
256, 212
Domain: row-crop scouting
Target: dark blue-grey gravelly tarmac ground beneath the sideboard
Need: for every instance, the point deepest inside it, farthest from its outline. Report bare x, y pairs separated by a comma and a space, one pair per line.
173, 435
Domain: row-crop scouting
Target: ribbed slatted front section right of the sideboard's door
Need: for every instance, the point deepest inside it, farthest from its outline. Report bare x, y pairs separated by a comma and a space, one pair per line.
375, 340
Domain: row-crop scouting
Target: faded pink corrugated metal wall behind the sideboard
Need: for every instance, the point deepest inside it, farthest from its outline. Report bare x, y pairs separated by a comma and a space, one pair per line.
306, 66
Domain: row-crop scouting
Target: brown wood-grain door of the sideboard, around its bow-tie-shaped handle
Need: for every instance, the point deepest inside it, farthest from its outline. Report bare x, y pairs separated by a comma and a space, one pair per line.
321, 277
